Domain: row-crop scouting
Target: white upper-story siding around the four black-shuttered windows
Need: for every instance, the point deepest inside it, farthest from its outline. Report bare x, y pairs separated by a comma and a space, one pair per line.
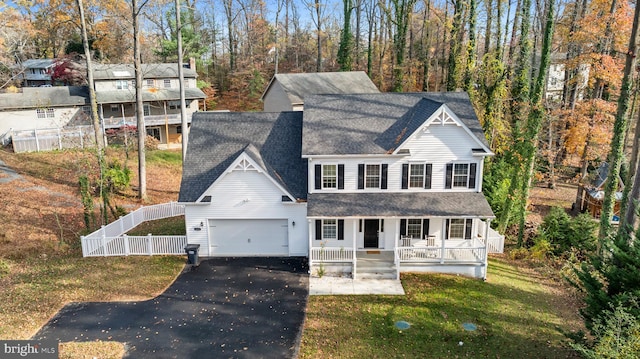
439, 145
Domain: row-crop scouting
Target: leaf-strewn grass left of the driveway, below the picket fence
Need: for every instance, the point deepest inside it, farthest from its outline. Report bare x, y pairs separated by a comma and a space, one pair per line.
37, 287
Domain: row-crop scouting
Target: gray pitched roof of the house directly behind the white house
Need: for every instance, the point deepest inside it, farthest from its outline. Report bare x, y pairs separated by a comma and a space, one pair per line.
299, 86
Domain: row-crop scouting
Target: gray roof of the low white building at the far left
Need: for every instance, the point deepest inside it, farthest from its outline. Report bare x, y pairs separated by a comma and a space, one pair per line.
41, 97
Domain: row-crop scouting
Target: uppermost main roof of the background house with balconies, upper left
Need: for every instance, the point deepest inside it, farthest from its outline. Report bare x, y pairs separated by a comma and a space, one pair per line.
149, 71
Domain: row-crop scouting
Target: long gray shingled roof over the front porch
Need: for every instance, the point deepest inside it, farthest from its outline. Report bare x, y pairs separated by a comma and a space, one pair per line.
399, 204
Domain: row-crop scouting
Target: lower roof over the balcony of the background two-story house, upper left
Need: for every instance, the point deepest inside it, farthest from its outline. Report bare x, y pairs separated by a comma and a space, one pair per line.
148, 94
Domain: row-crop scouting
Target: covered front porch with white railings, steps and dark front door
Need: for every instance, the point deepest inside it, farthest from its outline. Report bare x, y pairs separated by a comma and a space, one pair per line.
382, 247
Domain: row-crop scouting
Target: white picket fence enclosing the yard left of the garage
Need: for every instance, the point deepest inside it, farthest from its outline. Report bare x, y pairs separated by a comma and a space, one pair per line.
111, 240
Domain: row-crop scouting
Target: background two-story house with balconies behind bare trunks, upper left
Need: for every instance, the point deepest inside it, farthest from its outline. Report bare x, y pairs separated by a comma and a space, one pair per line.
115, 91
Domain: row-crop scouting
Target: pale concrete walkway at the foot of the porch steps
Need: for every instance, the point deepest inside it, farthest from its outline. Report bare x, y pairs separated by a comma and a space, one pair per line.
328, 285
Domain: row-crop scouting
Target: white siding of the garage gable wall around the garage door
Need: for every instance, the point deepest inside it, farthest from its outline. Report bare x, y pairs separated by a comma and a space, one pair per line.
247, 195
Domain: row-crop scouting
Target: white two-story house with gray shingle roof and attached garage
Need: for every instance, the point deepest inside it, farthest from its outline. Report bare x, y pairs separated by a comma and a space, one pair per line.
394, 178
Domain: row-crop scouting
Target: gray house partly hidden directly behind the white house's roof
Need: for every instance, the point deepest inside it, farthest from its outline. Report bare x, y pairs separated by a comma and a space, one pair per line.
286, 92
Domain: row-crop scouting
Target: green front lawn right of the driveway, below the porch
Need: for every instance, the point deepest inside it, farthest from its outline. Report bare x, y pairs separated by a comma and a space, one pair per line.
515, 315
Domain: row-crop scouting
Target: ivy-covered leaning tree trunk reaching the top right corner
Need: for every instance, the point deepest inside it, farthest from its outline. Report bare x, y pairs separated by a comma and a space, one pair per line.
619, 131
